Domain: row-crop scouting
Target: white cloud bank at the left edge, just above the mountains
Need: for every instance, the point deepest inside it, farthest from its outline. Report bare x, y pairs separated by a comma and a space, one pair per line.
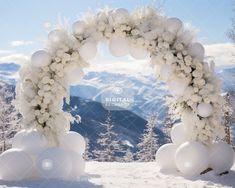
15, 58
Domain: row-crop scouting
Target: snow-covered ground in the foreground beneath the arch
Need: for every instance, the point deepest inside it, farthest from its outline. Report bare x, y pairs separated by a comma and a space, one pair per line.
129, 175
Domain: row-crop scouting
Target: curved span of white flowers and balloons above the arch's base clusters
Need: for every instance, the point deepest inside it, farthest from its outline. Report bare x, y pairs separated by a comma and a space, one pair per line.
175, 58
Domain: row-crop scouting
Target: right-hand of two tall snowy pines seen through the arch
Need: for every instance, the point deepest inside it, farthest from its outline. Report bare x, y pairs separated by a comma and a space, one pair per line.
148, 145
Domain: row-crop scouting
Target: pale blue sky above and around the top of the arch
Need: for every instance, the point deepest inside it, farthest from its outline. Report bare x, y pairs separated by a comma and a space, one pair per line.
24, 20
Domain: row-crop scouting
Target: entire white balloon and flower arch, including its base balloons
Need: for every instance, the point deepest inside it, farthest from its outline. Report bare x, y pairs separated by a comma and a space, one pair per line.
175, 58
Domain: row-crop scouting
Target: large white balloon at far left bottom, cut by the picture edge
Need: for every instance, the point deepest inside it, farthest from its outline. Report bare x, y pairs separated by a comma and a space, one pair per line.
15, 165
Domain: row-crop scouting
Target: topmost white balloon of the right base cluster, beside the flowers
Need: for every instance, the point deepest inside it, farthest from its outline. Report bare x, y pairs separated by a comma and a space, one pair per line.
178, 134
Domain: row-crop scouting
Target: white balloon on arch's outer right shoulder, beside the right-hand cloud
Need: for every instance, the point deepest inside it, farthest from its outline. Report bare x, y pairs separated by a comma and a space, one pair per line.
196, 50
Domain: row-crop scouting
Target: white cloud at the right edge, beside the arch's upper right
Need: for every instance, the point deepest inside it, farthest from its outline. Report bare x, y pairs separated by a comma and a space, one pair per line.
223, 54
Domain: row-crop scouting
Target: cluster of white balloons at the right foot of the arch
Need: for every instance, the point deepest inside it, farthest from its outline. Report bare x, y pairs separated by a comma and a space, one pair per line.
193, 158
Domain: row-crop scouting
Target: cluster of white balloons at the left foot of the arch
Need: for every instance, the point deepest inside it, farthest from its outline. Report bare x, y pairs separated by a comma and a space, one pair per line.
32, 157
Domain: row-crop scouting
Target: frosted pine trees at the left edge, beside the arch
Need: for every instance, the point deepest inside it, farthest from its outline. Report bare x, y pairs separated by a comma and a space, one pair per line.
9, 118
